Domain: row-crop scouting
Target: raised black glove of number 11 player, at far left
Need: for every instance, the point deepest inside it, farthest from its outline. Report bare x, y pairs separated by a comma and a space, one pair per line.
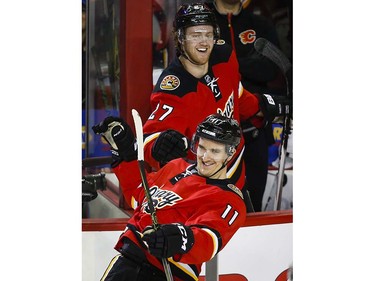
120, 137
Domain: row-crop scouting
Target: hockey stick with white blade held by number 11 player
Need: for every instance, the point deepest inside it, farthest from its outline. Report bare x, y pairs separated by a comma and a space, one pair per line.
139, 134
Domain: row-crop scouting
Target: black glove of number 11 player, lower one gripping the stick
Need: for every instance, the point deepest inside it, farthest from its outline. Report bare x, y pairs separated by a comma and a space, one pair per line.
168, 240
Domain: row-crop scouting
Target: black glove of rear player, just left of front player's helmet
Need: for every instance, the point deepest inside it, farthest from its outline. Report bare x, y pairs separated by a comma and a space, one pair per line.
169, 145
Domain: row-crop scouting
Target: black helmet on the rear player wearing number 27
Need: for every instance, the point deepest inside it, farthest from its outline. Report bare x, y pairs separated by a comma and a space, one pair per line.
191, 15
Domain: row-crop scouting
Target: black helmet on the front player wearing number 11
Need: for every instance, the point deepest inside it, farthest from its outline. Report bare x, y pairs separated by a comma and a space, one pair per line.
220, 129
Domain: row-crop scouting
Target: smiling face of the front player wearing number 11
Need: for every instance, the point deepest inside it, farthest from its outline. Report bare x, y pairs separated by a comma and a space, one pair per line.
210, 158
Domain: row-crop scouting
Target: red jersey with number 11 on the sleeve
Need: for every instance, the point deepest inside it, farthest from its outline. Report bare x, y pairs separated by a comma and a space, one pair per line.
214, 209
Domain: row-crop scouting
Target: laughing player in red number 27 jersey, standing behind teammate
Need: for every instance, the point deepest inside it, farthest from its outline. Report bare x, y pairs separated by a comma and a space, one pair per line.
203, 79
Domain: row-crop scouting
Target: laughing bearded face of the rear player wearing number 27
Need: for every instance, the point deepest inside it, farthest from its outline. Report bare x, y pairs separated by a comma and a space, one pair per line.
198, 43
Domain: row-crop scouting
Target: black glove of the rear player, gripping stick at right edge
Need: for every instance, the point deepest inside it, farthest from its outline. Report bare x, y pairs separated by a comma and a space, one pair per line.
273, 106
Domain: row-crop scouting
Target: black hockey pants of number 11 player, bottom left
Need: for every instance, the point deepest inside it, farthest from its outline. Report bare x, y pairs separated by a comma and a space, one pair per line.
132, 265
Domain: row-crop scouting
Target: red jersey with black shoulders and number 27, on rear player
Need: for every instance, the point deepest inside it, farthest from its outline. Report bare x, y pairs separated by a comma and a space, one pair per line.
180, 102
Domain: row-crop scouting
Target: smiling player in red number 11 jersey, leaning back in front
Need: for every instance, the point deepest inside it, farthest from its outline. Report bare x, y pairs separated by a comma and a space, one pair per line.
197, 207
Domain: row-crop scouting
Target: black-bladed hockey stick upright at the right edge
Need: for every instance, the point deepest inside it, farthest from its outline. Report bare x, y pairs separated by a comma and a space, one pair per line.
270, 51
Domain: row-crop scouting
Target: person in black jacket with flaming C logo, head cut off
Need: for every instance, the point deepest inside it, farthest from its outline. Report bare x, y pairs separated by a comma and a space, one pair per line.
240, 27
